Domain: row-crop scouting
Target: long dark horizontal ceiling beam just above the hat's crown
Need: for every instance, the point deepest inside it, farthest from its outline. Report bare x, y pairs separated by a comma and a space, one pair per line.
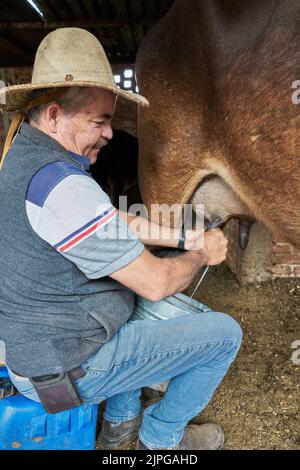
76, 24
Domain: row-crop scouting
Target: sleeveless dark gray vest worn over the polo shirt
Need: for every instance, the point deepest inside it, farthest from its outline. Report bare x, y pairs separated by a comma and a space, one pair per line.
52, 317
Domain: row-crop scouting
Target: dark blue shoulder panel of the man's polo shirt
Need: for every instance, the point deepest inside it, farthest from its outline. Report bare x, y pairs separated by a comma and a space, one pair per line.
52, 176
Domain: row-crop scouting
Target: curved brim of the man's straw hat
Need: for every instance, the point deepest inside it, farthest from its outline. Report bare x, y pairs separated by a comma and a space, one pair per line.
16, 97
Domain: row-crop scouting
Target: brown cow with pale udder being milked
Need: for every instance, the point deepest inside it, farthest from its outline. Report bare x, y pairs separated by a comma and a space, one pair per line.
222, 128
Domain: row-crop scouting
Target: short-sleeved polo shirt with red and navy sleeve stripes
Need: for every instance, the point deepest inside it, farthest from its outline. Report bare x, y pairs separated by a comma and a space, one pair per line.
70, 211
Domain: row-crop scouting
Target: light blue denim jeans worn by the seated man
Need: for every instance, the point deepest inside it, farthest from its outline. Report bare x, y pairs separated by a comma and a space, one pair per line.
194, 347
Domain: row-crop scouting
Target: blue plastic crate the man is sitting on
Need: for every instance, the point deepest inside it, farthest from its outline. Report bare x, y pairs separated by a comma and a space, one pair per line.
25, 425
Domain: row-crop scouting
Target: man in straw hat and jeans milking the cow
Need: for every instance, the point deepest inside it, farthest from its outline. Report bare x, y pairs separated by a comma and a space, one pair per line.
67, 286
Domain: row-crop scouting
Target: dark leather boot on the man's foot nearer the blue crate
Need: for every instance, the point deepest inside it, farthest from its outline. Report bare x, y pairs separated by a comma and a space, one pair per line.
114, 436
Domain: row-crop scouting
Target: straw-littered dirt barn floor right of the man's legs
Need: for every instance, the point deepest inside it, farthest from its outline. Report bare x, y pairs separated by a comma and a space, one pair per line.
257, 404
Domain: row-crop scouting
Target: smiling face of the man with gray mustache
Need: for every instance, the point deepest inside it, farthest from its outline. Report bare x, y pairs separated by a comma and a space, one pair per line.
86, 131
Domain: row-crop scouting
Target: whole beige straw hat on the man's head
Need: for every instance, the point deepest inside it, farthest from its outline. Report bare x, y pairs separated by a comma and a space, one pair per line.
66, 57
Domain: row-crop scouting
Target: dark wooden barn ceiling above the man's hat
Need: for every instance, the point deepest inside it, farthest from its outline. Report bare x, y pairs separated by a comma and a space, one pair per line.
120, 25
